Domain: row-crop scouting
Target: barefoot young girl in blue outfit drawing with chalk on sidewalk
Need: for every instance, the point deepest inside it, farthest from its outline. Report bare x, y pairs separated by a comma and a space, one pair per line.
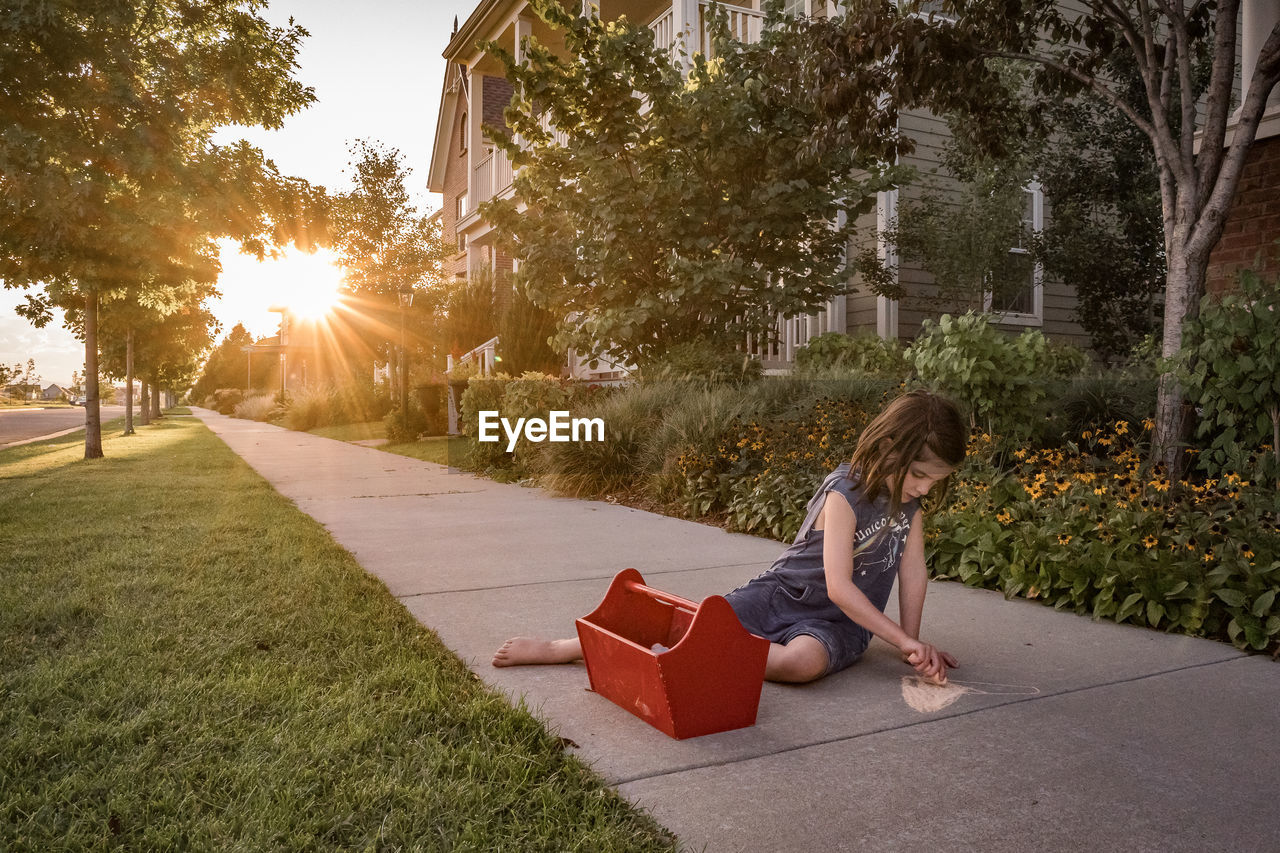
825, 597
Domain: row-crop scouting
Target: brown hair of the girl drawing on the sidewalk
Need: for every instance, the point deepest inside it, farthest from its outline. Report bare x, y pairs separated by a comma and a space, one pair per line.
915, 427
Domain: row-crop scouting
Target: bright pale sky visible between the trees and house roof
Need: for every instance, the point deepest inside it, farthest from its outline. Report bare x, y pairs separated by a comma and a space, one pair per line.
378, 71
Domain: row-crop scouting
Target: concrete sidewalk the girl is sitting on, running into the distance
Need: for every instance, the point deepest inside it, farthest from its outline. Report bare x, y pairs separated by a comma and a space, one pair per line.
1085, 736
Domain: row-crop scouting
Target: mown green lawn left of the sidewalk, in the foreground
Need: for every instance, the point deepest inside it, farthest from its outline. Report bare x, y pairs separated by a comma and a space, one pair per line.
189, 663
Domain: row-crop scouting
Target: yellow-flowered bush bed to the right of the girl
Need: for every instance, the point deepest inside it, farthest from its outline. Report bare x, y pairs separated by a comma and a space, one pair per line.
1090, 528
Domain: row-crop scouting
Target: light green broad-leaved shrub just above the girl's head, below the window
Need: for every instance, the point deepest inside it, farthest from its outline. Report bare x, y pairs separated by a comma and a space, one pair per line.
995, 377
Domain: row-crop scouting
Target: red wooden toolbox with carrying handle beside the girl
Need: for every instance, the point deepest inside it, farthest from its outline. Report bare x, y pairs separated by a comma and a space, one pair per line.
707, 681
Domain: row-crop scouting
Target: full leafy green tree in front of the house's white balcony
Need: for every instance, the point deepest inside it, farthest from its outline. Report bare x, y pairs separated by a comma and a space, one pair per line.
650, 211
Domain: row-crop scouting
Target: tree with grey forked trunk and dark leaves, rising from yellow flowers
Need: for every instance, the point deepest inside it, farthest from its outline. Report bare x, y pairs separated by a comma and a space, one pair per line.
1071, 45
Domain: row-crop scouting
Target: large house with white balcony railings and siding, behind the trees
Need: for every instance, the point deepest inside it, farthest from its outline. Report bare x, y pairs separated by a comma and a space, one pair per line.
468, 170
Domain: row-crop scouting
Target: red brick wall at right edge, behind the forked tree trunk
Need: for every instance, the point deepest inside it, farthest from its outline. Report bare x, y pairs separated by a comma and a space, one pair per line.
1254, 222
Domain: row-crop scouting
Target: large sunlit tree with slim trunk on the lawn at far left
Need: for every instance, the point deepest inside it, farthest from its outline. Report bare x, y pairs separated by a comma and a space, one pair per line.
109, 176
